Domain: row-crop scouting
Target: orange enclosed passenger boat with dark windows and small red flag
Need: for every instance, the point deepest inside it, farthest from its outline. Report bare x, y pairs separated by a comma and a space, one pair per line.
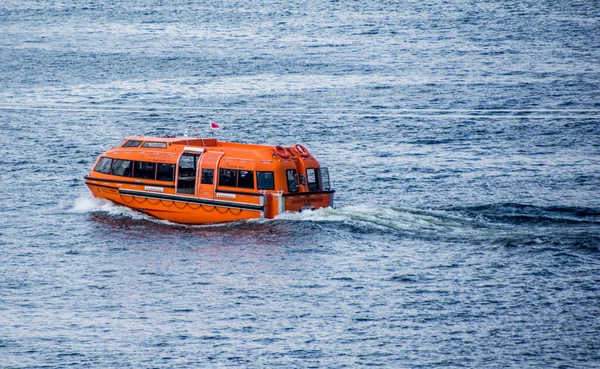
202, 180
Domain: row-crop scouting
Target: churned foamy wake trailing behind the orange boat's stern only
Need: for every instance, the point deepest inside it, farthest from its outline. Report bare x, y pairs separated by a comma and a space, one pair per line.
499, 225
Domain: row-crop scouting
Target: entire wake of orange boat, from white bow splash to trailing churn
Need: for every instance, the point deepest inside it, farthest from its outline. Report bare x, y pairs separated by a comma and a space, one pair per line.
499, 225
